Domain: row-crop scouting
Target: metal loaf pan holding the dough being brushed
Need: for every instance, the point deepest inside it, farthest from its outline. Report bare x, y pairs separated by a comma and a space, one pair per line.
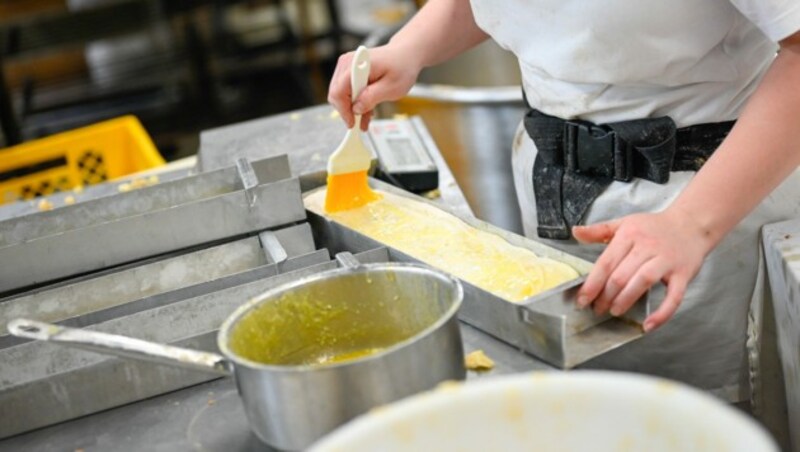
548, 325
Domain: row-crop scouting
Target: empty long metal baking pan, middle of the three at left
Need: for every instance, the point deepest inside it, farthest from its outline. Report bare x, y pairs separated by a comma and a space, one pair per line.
91, 300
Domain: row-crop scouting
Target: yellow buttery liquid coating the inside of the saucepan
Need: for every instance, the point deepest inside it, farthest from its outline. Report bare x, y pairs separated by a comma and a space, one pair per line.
331, 322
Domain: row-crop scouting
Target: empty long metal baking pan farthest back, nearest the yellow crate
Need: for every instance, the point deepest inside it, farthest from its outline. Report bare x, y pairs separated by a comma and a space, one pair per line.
162, 218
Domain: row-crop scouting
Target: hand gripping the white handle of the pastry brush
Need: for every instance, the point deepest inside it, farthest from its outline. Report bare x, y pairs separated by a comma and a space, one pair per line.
392, 74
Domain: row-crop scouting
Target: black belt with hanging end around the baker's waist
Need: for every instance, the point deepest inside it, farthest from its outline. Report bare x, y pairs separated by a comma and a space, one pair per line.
577, 160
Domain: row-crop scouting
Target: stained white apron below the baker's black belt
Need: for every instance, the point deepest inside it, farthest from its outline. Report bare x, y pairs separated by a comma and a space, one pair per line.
704, 344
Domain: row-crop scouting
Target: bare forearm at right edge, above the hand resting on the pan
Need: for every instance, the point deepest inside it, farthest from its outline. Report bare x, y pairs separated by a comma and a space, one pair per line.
761, 150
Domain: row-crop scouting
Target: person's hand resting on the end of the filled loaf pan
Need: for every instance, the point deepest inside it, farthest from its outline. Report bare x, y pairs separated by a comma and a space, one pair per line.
643, 249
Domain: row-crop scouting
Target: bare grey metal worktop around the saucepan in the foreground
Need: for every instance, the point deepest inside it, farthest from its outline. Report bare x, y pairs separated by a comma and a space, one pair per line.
207, 417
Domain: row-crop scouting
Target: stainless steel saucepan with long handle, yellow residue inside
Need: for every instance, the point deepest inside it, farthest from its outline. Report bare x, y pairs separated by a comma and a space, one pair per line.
312, 354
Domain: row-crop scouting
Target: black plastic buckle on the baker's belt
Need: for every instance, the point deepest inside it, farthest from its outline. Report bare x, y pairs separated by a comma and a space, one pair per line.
590, 150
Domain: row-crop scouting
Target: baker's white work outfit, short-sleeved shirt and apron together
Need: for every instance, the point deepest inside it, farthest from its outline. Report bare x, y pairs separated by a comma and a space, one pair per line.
697, 62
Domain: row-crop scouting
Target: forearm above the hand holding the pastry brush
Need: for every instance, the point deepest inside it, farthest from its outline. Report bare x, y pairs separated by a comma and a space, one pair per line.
441, 30
